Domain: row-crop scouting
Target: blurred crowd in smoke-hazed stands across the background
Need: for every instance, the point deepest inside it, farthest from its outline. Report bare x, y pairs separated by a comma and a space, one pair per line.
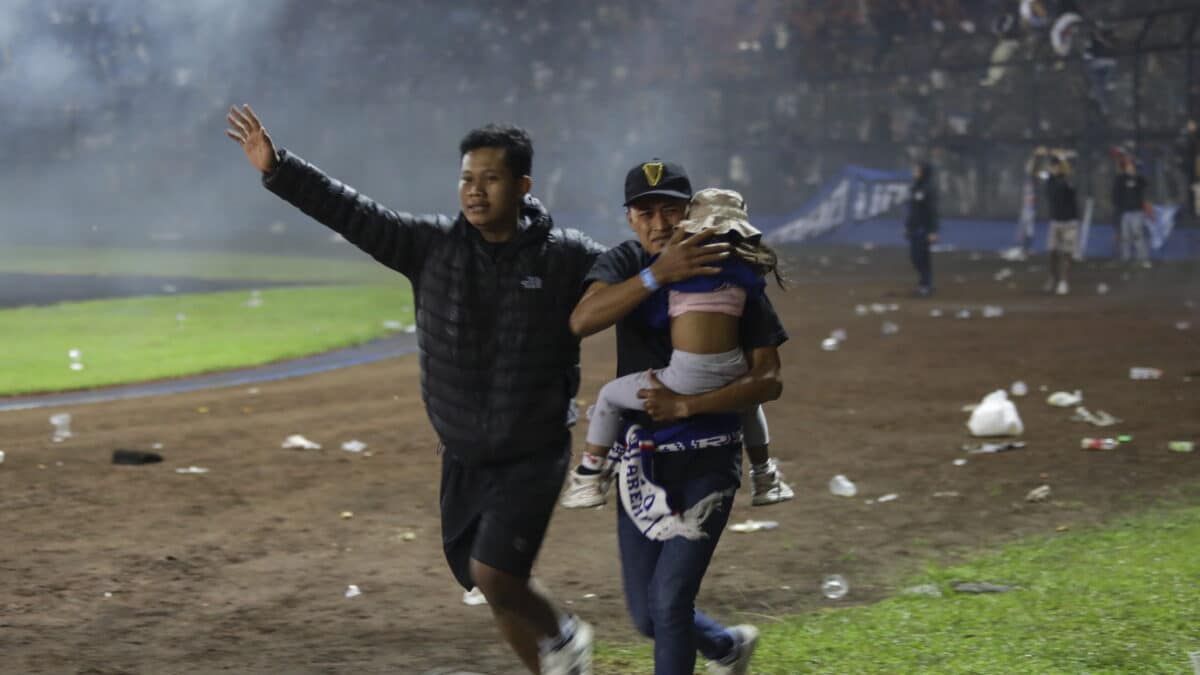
767, 97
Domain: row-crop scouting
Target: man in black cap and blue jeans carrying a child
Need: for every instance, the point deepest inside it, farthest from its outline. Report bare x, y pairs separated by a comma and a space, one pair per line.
662, 578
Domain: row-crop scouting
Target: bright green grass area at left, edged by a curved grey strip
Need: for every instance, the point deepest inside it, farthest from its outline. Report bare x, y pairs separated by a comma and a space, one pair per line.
141, 339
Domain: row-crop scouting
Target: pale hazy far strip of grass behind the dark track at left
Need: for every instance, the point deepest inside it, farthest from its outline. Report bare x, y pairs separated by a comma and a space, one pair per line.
200, 265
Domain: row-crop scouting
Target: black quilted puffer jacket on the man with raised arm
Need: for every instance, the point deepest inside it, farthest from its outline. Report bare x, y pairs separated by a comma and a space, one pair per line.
500, 365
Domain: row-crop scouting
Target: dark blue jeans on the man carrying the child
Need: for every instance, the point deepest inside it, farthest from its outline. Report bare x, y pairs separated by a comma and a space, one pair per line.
663, 578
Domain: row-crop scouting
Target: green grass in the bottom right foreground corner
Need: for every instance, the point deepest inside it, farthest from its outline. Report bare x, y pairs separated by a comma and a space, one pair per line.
1115, 600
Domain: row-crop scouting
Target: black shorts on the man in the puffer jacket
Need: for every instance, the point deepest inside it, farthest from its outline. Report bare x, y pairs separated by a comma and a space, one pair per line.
499, 515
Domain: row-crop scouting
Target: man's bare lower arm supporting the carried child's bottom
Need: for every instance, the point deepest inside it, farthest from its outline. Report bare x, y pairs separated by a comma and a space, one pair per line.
763, 384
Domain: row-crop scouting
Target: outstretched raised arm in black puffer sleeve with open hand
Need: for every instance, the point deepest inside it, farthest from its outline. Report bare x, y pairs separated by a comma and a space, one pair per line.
398, 241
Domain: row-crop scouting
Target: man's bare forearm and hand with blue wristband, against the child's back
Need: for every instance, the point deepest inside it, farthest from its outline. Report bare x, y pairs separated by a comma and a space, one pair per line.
605, 304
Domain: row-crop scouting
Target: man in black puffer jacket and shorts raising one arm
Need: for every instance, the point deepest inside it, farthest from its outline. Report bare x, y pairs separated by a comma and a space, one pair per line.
494, 290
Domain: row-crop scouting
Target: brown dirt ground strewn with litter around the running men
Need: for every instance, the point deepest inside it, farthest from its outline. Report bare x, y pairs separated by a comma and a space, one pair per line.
141, 570
